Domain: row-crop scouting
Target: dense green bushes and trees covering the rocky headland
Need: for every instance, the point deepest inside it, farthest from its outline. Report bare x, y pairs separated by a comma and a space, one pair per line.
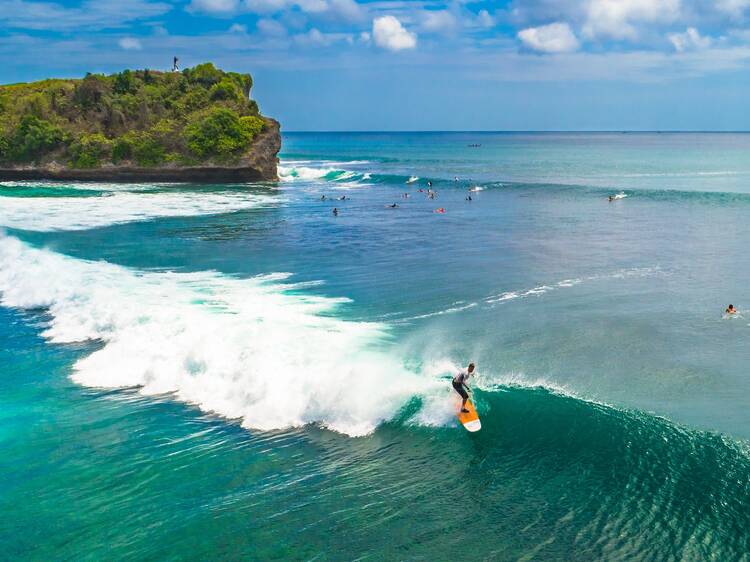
143, 118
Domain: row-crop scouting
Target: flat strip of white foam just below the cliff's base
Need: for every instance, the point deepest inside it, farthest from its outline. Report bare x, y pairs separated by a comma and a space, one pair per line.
80, 213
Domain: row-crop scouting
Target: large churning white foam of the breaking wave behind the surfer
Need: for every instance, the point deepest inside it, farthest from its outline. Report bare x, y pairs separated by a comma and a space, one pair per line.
242, 348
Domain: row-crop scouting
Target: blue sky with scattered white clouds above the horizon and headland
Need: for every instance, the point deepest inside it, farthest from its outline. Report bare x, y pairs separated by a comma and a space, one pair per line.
419, 65
